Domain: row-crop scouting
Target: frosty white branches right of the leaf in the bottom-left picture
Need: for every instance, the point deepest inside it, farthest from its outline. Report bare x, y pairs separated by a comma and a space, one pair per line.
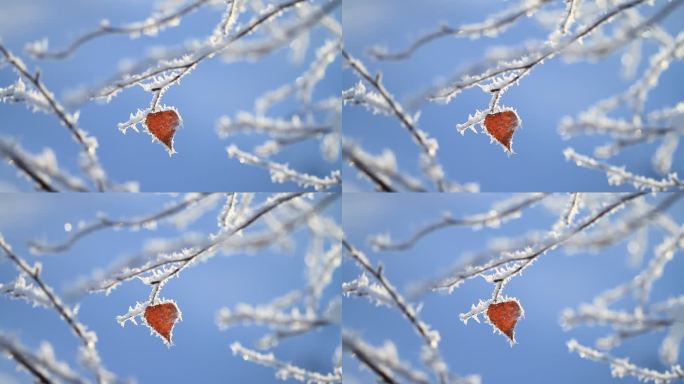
297, 312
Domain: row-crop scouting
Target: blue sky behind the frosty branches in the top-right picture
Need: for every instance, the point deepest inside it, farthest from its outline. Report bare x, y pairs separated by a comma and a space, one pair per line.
552, 91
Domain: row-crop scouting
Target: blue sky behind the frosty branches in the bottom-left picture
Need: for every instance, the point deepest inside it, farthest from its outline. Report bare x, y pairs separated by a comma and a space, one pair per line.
201, 352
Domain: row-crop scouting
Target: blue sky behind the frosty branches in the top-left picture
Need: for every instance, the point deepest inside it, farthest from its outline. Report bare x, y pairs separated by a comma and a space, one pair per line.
214, 89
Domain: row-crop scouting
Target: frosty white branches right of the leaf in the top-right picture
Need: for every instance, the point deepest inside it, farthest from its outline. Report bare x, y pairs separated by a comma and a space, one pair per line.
638, 127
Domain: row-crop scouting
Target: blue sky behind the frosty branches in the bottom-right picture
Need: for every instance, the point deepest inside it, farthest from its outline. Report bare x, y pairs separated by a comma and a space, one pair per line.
554, 282
